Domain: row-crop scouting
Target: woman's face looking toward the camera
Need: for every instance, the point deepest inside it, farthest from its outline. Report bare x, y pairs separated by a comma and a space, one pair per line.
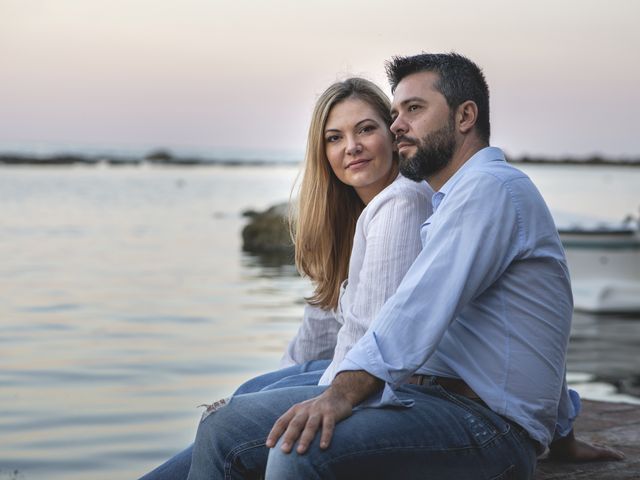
359, 147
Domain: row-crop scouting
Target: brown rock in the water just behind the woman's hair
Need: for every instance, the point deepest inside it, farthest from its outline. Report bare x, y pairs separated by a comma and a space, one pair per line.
268, 231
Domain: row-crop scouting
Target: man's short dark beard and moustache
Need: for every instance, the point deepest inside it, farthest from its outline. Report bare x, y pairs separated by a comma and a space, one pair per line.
435, 151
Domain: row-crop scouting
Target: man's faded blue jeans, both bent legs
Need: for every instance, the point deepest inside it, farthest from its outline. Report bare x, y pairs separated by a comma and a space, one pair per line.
443, 436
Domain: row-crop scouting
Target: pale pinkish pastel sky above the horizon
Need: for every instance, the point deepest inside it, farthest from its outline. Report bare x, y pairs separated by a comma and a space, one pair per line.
564, 74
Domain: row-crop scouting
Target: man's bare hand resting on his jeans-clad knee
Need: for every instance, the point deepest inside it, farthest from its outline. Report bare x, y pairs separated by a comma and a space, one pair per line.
302, 421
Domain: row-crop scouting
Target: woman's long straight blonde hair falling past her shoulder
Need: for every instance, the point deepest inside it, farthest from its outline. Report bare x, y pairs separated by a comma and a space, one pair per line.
327, 209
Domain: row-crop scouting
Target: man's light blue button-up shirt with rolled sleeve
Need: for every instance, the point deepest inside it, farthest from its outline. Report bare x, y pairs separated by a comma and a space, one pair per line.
488, 300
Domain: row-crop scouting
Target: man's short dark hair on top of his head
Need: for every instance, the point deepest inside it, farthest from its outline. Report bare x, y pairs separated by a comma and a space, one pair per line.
459, 80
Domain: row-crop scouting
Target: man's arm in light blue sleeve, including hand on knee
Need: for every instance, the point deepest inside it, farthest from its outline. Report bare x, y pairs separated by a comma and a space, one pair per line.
452, 267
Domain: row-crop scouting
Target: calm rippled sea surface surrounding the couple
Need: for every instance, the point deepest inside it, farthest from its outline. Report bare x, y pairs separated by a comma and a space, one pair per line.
125, 301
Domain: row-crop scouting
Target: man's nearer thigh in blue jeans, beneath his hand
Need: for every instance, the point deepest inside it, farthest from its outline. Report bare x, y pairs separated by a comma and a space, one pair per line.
441, 436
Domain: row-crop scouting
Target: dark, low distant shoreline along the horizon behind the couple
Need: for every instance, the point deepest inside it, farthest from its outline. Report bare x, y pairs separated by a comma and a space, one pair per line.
166, 158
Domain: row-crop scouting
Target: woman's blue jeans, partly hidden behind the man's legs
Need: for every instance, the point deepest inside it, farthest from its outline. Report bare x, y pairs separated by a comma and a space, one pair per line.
177, 467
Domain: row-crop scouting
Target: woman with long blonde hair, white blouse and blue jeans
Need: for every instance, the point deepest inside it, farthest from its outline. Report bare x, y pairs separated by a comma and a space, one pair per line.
357, 218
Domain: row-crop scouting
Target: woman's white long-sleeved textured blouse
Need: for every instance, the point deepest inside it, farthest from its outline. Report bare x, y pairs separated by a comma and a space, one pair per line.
385, 244
